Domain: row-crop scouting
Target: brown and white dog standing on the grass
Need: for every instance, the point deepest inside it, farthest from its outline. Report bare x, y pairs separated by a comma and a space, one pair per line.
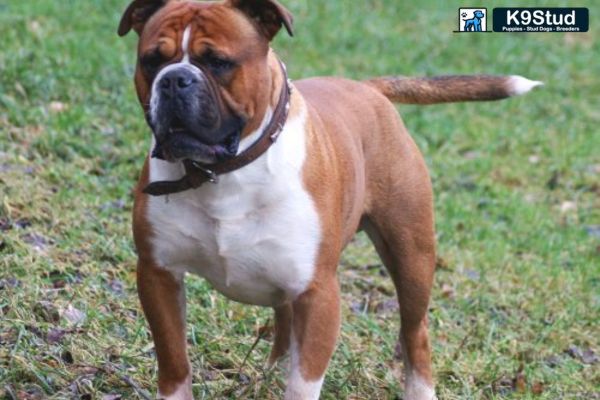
271, 230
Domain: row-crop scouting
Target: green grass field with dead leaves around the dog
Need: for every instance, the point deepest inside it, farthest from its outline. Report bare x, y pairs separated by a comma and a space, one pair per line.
516, 302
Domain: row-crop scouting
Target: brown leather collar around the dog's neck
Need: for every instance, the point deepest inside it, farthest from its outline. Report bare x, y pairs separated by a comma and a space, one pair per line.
197, 174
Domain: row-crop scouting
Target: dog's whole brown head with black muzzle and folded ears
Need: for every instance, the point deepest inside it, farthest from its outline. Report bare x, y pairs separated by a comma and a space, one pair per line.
202, 75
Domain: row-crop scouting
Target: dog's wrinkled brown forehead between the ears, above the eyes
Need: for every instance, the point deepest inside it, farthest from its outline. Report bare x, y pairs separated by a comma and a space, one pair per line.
212, 24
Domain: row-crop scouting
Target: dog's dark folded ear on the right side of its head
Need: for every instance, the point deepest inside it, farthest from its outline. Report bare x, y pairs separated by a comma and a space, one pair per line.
269, 15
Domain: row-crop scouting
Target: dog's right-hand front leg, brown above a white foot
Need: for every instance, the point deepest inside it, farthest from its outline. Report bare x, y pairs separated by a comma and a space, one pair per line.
315, 328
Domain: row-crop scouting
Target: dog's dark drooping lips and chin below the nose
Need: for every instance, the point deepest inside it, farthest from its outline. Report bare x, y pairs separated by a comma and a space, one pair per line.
181, 144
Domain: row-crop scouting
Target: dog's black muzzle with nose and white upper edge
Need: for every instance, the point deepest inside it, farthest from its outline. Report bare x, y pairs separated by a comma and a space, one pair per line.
189, 119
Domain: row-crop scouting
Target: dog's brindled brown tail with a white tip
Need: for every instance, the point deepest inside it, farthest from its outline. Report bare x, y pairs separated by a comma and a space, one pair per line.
451, 88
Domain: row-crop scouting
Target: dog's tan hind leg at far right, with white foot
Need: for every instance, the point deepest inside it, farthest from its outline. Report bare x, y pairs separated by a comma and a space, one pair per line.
400, 224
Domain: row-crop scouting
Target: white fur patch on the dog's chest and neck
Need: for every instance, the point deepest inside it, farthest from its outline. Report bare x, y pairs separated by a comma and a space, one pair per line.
254, 235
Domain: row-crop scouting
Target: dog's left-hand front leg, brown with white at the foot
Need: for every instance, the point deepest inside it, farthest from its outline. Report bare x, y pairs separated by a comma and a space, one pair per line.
162, 295
